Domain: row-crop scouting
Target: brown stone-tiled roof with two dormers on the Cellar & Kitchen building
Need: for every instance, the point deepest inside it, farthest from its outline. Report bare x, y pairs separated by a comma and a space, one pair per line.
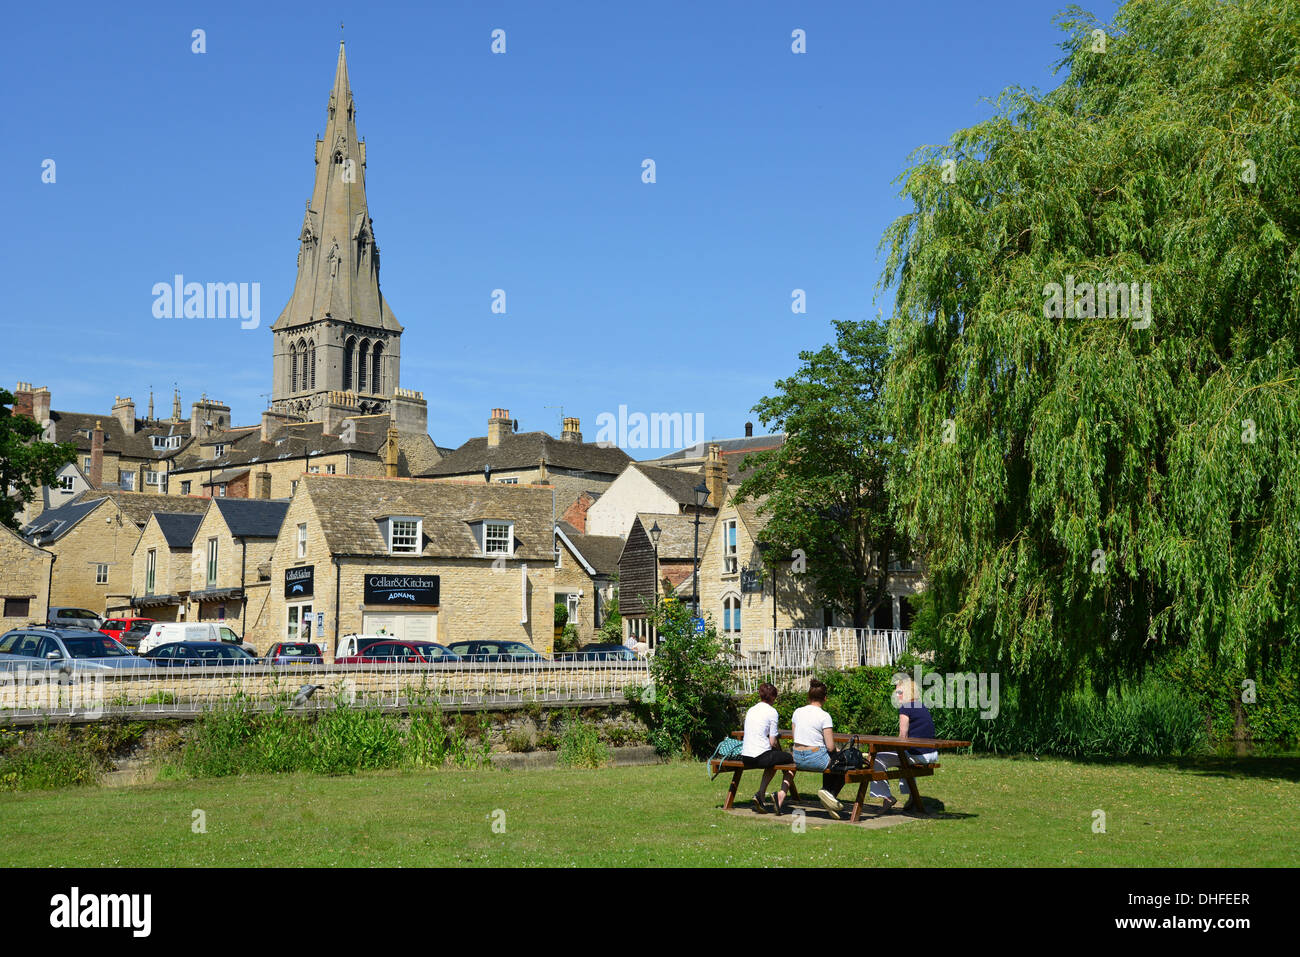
350, 512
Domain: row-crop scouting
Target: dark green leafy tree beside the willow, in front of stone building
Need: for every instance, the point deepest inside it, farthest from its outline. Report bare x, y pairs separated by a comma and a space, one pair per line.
825, 491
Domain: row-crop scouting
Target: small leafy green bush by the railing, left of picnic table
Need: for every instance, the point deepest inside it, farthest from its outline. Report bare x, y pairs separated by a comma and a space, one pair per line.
691, 708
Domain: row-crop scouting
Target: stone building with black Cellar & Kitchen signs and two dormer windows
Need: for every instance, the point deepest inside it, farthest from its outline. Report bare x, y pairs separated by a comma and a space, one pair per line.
418, 560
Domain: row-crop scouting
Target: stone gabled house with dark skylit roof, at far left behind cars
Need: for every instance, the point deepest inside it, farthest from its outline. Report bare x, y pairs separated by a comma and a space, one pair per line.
94, 540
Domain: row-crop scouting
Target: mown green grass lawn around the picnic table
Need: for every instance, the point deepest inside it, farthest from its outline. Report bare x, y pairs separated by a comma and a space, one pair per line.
1002, 812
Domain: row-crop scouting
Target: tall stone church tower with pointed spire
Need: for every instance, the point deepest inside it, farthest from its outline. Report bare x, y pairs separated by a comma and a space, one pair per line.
337, 344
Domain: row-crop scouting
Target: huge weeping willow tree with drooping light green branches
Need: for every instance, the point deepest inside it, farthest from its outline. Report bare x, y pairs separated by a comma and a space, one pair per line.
1097, 475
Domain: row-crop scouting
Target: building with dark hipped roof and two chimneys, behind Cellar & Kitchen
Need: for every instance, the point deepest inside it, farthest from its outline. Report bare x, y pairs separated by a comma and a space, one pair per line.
508, 457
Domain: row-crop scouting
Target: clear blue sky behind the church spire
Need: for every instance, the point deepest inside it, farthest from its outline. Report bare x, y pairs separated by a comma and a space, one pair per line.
518, 172
